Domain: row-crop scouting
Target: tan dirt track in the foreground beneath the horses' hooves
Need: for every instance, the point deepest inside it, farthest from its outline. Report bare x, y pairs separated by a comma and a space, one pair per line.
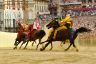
84, 56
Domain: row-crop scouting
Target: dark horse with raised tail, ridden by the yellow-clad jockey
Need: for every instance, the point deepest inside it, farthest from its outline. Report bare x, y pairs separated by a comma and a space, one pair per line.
63, 35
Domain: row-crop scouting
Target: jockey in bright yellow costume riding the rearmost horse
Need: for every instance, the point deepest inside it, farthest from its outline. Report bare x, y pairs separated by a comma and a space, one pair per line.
63, 23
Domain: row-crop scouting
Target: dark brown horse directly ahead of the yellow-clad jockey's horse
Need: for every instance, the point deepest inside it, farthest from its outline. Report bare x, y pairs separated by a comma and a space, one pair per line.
37, 34
